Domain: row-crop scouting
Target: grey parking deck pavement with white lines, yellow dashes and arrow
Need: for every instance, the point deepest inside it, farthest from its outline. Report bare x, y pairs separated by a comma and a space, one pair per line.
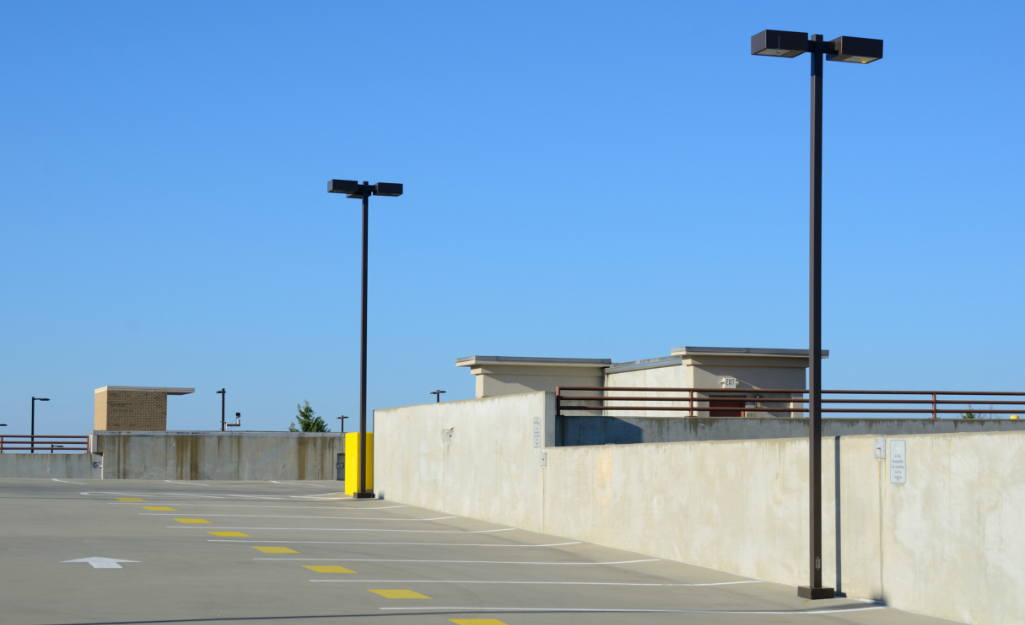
166, 553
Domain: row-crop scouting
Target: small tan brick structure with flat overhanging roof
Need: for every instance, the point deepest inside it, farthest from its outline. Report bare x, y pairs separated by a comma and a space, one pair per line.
134, 408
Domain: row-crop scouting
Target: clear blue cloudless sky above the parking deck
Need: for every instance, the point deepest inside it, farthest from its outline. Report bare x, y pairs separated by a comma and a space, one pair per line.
603, 180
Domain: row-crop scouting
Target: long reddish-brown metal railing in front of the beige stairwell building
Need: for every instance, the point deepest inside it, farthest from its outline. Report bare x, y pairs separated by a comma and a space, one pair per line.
717, 402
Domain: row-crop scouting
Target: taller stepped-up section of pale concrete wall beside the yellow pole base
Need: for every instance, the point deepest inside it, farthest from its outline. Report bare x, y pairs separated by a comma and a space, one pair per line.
474, 459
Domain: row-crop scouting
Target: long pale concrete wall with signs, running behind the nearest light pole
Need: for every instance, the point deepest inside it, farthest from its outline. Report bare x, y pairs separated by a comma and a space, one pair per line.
949, 543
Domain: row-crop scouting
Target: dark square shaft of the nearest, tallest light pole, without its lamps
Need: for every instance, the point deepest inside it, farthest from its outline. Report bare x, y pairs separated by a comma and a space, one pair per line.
815, 324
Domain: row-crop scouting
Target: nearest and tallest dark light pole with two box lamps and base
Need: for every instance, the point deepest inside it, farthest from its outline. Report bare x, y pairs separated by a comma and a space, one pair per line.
849, 50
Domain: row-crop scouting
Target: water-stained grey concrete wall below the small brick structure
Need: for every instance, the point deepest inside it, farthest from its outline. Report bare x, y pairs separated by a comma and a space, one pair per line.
215, 455
